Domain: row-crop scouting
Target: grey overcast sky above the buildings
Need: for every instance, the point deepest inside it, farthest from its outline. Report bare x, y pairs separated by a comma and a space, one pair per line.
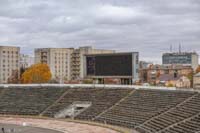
147, 26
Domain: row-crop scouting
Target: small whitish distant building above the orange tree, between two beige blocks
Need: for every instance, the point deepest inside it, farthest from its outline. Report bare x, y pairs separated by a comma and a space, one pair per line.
26, 61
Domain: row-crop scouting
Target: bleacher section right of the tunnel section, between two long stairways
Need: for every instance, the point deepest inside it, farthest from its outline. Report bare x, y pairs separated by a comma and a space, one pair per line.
141, 106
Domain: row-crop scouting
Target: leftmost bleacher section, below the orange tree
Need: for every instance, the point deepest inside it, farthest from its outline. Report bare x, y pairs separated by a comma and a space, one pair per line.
27, 101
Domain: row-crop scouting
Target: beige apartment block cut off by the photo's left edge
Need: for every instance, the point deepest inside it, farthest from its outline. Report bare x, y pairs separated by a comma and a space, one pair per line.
9, 62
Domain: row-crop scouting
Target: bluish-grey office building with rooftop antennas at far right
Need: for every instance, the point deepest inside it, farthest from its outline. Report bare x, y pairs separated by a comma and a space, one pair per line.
183, 58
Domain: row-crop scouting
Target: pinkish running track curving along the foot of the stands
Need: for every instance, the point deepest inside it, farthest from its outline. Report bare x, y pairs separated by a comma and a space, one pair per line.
28, 124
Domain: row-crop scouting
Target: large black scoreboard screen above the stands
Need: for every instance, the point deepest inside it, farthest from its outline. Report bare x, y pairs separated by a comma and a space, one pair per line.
110, 64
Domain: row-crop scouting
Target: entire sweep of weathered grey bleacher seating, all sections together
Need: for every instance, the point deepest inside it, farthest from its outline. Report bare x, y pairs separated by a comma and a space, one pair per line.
147, 111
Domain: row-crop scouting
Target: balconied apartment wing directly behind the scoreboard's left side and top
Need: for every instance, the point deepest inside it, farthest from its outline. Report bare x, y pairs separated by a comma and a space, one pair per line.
77, 60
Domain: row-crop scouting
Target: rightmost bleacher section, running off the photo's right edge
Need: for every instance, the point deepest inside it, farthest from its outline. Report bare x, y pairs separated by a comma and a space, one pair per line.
184, 111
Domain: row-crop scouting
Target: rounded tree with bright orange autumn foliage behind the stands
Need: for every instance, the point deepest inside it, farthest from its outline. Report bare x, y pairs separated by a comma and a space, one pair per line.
38, 73
